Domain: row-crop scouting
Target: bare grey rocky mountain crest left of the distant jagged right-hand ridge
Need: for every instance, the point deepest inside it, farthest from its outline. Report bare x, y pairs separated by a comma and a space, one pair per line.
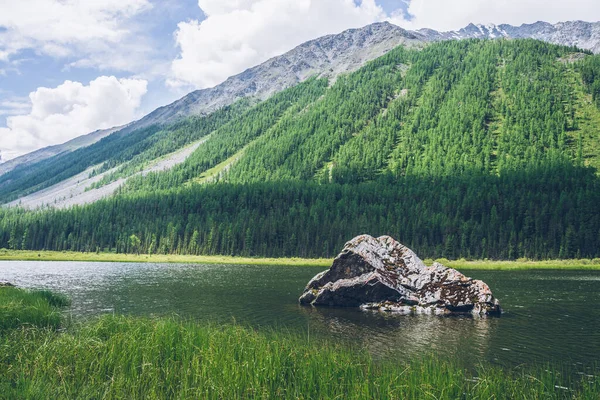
327, 56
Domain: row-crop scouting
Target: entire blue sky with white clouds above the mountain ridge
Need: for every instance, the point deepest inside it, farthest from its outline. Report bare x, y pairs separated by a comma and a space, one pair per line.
70, 67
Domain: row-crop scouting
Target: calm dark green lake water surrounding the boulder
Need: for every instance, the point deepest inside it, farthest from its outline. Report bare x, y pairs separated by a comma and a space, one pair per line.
550, 316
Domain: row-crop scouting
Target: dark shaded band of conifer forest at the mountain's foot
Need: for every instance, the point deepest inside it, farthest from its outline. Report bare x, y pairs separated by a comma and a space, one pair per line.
546, 212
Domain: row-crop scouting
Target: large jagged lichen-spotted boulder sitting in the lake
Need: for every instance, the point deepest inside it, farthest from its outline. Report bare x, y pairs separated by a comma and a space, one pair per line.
382, 274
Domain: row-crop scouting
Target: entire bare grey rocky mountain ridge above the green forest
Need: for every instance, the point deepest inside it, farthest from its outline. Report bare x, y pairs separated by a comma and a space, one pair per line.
327, 56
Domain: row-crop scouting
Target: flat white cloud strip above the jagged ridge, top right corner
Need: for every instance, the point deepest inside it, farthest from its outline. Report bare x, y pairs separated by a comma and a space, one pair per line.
448, 15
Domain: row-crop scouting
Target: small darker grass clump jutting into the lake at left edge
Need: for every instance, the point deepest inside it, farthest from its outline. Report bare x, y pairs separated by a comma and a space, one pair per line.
19, 308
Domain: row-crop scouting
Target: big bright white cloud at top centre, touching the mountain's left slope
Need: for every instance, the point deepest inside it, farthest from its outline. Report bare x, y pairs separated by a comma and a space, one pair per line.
238, 34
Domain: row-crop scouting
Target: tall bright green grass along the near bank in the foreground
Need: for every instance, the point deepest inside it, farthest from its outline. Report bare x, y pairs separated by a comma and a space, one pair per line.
119, 357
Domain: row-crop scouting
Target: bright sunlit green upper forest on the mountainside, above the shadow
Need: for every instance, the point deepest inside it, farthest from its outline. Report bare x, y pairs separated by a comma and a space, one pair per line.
455, 108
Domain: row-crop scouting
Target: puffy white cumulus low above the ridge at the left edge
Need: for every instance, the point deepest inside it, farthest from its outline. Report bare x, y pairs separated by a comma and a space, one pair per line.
59, 114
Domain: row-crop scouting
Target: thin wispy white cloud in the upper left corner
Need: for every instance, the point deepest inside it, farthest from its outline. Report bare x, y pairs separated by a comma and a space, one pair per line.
89, 29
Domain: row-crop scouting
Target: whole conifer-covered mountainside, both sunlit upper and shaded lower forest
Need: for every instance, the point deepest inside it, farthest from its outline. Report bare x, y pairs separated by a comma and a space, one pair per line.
462, 149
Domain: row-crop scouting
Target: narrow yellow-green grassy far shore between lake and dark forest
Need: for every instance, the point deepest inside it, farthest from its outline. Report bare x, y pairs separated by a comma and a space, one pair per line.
26, 255
